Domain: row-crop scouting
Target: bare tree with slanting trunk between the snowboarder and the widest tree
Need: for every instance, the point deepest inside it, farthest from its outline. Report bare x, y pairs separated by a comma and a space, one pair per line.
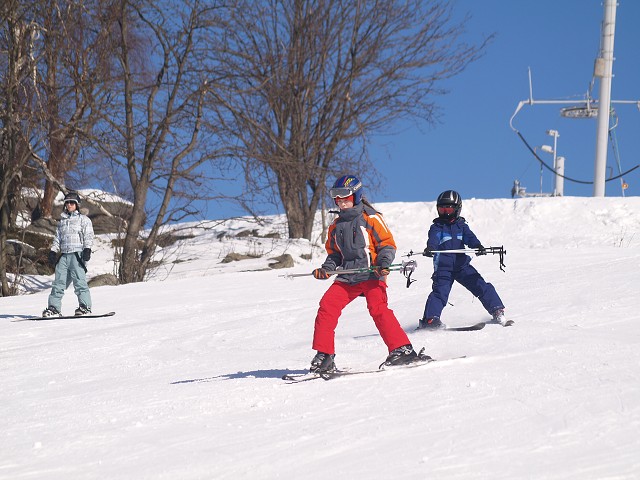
156, 123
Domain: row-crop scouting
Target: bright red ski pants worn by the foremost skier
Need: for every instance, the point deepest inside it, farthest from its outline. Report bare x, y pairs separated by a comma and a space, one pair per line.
338, 296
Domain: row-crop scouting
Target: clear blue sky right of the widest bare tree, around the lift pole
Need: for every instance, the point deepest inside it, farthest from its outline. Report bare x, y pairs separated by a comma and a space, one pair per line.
473, 149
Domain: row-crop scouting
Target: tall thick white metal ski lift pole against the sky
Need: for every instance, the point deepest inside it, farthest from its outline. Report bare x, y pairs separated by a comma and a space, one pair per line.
604, 70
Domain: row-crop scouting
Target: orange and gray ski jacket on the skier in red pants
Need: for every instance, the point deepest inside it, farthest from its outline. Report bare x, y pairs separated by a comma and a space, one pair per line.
359, 238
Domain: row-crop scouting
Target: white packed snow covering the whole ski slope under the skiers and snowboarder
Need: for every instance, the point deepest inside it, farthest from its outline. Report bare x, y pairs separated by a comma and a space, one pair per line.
184, 382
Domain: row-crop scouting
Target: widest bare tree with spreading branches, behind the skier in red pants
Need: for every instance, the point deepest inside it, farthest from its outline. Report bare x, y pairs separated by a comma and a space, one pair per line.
308, 82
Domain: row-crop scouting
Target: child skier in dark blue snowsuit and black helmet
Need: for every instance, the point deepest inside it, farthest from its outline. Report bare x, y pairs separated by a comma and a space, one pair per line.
450, 232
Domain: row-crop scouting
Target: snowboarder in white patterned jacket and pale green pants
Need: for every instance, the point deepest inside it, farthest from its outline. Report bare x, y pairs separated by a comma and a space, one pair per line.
73, 240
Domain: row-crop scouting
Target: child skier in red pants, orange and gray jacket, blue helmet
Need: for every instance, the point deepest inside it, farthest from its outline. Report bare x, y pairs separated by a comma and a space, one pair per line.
357, 238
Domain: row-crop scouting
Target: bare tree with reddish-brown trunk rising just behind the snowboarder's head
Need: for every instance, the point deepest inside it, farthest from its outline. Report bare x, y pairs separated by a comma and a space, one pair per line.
75, 78
